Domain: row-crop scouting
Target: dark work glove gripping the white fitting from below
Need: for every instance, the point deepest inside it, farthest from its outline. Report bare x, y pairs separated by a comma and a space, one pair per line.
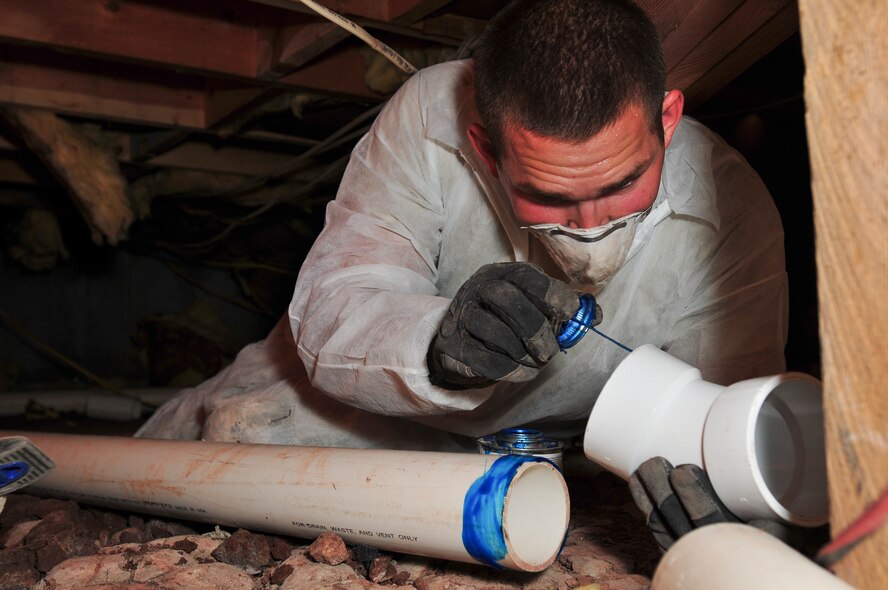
676, 500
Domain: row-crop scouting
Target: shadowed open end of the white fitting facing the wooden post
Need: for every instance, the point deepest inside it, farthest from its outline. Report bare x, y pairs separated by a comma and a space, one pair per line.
790, 451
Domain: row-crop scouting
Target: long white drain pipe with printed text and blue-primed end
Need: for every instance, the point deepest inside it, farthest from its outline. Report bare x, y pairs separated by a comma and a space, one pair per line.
511, 511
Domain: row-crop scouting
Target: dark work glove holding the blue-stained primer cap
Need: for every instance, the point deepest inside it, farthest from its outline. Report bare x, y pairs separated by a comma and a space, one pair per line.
501, 325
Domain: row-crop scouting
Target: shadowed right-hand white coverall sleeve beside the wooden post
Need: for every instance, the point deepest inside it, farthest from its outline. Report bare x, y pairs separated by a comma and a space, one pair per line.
732, 322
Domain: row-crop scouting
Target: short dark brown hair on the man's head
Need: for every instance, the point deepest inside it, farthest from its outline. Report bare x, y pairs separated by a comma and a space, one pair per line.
567, 68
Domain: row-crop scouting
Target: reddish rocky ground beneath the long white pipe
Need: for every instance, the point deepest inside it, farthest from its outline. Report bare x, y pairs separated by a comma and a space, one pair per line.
52, 544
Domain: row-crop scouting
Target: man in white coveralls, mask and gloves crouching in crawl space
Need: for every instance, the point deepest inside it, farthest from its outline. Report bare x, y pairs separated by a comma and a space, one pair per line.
559, 153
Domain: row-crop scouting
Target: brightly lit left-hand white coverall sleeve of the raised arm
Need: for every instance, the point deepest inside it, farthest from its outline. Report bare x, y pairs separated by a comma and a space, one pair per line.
366, 305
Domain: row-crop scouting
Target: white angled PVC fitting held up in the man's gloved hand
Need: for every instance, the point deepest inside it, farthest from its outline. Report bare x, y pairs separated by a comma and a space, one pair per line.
761, 441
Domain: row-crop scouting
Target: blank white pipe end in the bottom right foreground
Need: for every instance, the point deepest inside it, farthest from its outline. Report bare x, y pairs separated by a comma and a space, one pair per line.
731, 556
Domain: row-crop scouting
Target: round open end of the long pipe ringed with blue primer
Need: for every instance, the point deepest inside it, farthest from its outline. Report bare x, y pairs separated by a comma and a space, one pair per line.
536, 515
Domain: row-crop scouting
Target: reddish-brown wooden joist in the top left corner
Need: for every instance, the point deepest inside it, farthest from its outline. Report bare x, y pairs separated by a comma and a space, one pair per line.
158, 33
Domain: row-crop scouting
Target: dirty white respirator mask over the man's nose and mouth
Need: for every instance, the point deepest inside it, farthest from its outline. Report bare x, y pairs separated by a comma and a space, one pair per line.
589, 257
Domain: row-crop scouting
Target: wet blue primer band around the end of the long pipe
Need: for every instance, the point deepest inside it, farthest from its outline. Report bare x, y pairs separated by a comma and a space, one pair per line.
483, 509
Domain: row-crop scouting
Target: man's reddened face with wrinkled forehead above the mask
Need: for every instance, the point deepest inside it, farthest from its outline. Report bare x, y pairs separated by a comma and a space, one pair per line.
587, 184
